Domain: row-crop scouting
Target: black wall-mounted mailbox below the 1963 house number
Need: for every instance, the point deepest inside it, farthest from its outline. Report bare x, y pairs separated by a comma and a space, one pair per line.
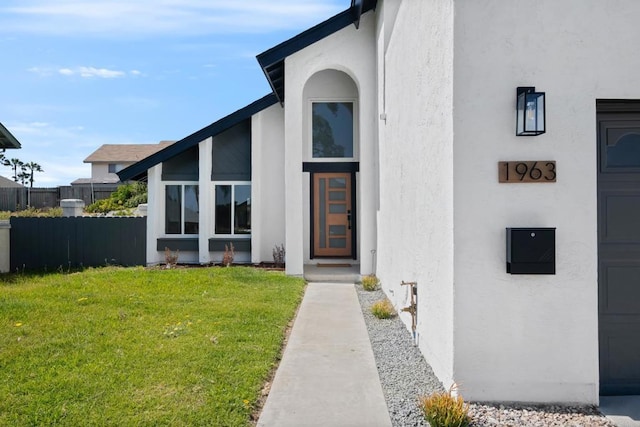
531, 250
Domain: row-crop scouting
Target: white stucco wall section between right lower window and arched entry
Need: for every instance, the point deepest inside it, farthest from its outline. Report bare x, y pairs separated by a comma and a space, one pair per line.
267, 191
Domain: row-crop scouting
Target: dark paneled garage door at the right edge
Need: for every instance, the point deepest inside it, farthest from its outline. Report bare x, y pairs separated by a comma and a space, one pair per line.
619, 247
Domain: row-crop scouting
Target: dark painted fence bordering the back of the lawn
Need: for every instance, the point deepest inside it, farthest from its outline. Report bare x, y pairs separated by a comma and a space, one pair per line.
69, 243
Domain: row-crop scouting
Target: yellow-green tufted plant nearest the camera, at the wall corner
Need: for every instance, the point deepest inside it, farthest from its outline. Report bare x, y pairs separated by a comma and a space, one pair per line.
445, 410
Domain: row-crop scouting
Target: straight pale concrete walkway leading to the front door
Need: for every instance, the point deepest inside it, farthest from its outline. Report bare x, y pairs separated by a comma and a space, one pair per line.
328, 375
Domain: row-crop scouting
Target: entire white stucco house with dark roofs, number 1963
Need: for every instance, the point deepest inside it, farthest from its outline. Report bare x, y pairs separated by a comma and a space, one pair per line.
397, 115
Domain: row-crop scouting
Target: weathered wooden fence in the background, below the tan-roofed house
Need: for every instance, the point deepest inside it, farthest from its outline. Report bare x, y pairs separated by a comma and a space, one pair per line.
15, 199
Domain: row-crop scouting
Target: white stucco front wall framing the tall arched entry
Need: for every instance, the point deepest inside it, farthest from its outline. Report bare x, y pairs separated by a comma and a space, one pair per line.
351, 51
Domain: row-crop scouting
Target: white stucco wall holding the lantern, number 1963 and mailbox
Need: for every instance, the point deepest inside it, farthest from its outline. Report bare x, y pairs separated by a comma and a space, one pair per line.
543, 329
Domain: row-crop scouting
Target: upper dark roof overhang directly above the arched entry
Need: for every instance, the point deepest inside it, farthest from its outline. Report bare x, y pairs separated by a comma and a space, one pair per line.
272, 60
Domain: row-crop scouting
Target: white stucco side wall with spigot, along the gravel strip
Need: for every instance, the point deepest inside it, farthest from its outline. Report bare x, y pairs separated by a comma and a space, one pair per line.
416, 173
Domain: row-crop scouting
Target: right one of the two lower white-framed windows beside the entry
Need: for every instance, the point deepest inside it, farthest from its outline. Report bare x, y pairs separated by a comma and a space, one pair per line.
233, 209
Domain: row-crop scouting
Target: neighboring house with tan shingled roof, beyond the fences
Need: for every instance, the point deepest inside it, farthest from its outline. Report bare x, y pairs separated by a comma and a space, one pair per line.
110, 159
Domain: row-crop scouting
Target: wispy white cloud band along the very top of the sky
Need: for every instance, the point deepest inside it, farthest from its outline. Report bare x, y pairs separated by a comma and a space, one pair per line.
120, 18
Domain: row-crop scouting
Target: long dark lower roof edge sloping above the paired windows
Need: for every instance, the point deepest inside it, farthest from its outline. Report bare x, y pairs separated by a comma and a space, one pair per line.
138, 170
